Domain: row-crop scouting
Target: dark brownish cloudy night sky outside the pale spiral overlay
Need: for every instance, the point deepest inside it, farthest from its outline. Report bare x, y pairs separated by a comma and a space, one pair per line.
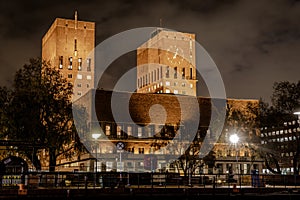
253, 43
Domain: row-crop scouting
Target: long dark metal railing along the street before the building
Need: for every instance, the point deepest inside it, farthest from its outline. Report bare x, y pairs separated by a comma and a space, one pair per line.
35, 180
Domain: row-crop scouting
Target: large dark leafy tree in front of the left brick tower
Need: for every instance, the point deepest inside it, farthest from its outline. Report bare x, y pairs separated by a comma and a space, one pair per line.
39, 111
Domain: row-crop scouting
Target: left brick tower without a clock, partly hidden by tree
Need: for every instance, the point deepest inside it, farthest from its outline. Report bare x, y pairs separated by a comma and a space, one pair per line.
69, 46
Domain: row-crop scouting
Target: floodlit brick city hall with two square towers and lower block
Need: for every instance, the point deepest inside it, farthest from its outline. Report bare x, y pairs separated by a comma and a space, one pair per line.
166, 115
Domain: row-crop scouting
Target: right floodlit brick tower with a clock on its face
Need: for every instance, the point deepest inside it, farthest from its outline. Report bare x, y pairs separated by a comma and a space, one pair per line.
166, 63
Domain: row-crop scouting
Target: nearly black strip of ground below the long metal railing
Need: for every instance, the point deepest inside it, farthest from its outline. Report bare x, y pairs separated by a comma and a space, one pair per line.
153, 193
